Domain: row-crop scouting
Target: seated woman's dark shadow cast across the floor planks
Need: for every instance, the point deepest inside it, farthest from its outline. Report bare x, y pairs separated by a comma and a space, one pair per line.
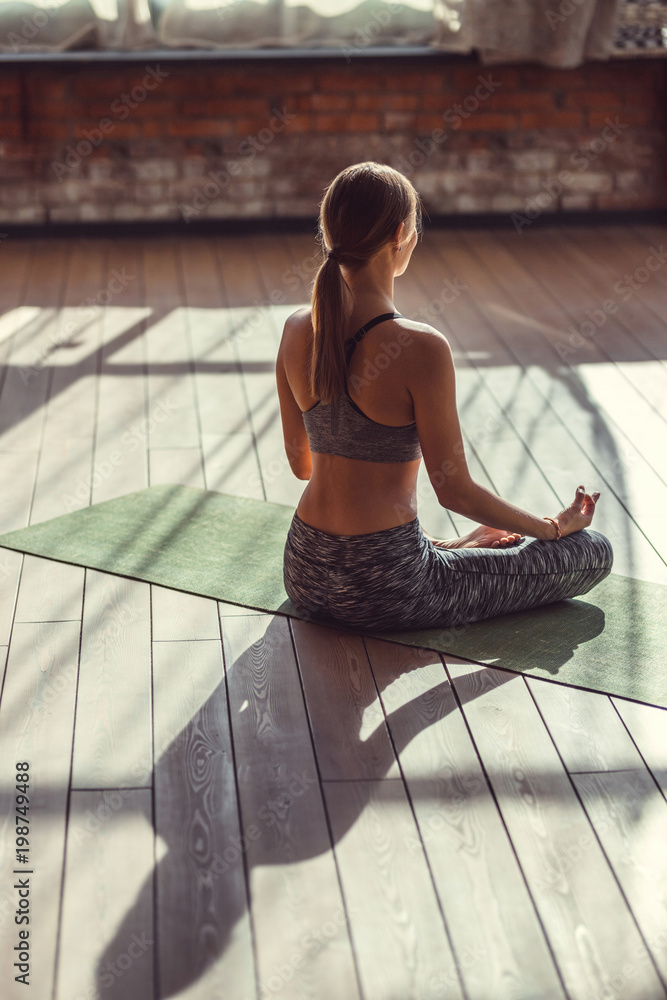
198, 890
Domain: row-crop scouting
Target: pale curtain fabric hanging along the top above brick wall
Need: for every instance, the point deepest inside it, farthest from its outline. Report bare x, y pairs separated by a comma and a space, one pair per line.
552, 32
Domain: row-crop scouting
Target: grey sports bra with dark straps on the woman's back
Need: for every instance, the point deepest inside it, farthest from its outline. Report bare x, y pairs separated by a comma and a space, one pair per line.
341, 428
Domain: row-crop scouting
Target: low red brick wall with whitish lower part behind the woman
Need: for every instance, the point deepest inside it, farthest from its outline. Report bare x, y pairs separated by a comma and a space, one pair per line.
174, 140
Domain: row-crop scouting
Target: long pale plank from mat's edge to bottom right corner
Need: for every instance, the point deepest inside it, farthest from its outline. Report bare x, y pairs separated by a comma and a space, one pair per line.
566, 871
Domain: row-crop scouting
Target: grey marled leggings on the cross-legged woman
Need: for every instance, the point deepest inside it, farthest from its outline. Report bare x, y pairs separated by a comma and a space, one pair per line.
397, 578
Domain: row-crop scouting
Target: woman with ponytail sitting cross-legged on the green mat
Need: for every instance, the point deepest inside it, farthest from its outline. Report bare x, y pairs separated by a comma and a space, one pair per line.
360, 410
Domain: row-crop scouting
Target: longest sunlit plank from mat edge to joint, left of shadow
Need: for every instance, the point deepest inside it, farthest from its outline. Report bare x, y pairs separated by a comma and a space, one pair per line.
112, 738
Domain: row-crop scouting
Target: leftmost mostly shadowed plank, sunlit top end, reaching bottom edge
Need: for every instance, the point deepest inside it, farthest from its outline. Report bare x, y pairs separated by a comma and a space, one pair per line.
205, 946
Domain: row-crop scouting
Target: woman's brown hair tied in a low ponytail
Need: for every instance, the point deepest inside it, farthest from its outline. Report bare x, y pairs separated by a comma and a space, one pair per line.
359, 214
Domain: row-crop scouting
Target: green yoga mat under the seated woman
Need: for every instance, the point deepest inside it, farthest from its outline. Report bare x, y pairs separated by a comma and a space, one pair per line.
231, 548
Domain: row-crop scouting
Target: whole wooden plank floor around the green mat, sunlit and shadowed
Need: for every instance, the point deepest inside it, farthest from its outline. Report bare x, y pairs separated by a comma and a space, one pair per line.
228, 805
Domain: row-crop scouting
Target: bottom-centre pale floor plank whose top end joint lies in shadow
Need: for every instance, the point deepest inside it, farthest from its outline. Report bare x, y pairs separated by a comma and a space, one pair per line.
399, 938
